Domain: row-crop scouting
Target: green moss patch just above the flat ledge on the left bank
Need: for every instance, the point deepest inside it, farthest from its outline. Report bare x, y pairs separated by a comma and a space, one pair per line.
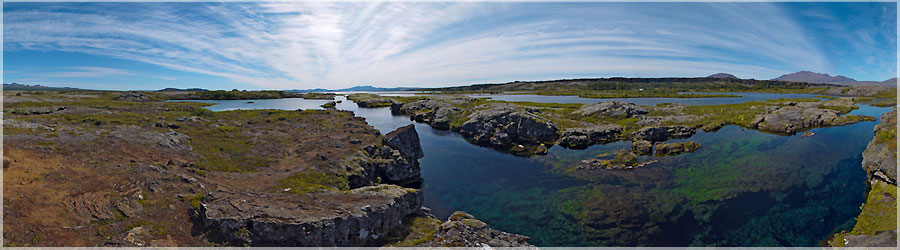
311, 182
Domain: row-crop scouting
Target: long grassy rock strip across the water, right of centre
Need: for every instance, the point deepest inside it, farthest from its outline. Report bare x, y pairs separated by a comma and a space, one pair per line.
530, 128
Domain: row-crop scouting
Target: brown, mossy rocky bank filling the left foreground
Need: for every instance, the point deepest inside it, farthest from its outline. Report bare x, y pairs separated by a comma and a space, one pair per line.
121, 169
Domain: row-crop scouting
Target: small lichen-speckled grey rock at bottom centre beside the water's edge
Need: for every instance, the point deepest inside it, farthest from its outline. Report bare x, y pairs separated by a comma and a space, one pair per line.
464, 230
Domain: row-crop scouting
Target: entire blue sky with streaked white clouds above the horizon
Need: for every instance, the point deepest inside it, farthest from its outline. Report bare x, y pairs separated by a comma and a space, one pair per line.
337, 45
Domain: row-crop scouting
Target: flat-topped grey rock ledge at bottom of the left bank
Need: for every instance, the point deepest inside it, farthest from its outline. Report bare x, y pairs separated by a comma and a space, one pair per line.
323, 219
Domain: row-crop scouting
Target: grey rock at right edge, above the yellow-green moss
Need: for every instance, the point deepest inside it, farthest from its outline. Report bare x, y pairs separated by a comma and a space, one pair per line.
880, 156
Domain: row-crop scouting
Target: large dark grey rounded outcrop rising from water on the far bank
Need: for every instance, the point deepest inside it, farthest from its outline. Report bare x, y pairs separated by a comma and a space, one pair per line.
505, 126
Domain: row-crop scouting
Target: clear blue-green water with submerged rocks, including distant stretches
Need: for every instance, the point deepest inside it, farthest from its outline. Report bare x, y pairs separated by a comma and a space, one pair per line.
742, 188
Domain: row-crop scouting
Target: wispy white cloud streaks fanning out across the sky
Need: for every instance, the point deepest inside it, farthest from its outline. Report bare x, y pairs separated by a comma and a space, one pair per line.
305, 45
